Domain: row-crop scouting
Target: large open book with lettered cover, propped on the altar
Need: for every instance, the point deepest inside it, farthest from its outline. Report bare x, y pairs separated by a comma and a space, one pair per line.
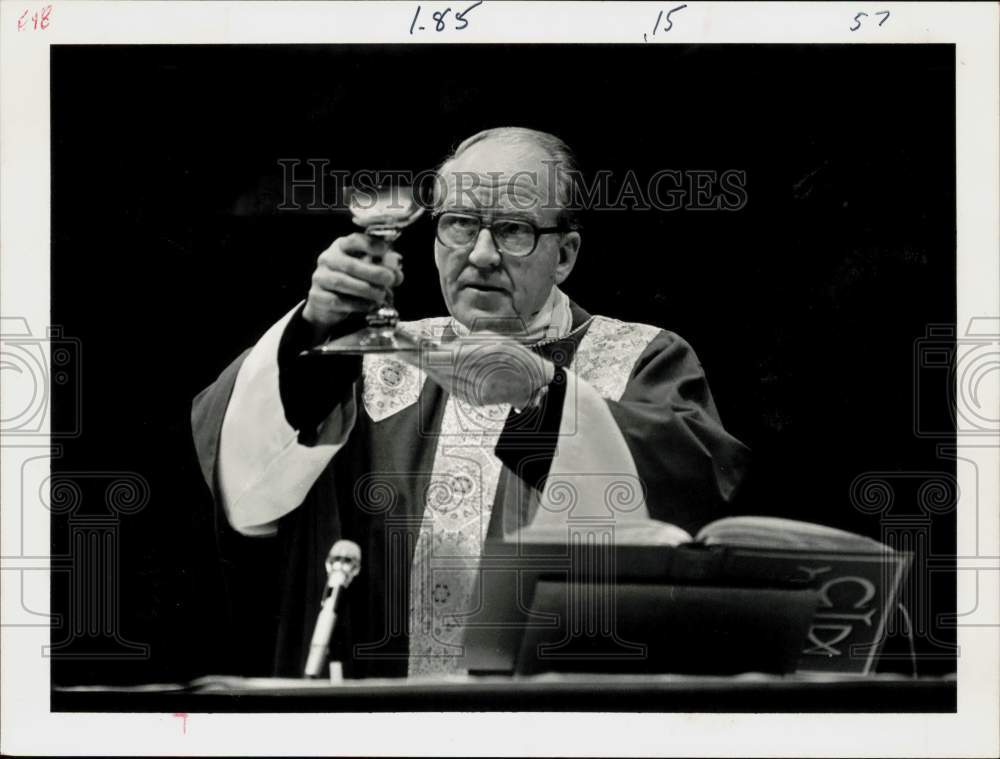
856, 578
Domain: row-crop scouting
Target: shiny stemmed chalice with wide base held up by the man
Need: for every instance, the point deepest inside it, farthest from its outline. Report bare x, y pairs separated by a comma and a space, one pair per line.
383, 218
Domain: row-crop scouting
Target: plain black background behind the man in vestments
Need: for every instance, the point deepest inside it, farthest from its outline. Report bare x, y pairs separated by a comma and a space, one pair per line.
169, 258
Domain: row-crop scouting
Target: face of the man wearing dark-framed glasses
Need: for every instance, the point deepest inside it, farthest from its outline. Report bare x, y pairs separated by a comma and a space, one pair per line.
483, 288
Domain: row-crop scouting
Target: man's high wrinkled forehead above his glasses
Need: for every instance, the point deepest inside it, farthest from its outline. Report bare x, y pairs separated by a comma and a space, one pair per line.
497, 175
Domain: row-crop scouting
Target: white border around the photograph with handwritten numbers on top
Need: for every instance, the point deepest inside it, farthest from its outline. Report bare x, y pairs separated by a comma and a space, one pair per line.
28, 727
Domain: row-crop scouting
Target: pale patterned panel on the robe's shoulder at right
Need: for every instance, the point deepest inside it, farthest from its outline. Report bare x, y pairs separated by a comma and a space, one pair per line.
608, 352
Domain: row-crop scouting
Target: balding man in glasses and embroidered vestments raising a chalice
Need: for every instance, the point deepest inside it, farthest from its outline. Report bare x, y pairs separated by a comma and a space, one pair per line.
526, 415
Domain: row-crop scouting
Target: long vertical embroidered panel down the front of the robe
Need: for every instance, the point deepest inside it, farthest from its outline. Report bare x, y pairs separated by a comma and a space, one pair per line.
444, 578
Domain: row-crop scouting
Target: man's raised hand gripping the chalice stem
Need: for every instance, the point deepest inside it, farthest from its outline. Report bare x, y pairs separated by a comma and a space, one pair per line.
351, 276
